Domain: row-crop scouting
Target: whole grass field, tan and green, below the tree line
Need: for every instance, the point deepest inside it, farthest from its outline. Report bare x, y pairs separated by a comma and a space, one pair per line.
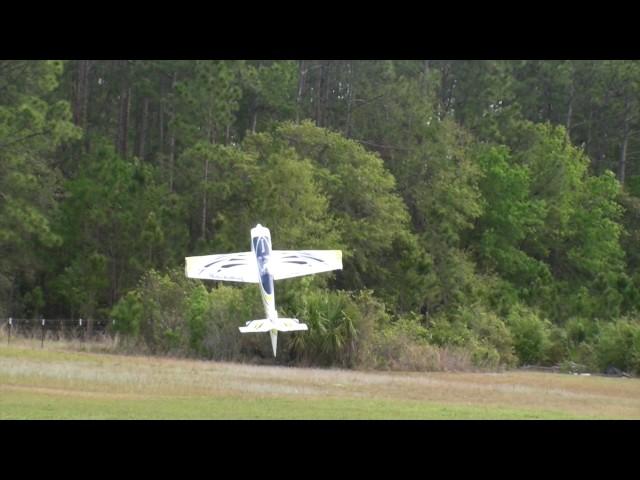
60, 382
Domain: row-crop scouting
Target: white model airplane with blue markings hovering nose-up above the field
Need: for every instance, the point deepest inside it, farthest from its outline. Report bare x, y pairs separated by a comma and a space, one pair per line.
263, 265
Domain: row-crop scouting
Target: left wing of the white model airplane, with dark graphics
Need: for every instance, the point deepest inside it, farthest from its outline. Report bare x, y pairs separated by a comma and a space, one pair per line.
232, 267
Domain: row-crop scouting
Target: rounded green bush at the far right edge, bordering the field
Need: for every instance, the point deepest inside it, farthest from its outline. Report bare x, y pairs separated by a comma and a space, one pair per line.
618, 346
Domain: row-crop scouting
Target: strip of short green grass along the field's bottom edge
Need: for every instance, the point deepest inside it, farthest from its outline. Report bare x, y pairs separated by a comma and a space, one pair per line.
21, 405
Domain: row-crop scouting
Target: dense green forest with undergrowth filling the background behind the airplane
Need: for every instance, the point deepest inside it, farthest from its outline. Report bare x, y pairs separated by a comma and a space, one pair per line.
488, 211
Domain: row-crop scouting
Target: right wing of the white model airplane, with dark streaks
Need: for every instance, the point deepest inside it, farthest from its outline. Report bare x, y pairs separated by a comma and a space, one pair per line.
295, 263
